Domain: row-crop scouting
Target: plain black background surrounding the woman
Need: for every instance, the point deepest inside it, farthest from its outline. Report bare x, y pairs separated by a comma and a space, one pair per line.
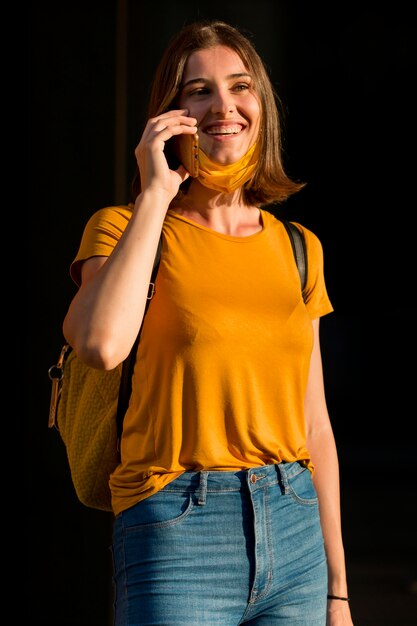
346, 74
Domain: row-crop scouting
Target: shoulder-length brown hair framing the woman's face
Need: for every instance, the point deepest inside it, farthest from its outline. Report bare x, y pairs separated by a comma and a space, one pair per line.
270, 183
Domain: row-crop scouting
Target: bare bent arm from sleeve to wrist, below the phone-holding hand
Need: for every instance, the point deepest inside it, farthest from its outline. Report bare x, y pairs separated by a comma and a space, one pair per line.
104, 317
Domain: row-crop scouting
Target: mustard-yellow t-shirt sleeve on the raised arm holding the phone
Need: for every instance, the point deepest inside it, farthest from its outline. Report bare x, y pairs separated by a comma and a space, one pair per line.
101, 234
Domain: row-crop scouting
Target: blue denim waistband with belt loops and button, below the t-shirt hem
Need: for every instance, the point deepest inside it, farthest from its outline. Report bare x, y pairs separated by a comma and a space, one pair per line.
209, 481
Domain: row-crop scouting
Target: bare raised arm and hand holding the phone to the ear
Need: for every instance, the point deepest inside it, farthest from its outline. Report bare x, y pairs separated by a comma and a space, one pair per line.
103, 318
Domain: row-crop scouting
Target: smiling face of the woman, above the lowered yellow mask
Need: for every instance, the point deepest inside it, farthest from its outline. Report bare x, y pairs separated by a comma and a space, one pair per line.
217, 90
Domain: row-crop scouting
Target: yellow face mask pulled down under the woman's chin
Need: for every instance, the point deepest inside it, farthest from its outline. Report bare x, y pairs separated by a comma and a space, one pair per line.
227, 178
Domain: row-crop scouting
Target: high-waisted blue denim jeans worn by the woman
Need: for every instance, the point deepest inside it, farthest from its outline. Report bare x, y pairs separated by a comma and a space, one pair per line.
223, 549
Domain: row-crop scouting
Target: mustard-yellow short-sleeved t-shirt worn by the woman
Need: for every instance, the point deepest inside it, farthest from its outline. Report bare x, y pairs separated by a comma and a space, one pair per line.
222, 365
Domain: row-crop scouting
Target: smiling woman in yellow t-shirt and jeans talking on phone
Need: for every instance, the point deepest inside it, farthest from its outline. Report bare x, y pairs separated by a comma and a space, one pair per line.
226, 499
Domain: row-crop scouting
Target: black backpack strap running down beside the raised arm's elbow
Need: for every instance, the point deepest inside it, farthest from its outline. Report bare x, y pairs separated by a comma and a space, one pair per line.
125, 388
